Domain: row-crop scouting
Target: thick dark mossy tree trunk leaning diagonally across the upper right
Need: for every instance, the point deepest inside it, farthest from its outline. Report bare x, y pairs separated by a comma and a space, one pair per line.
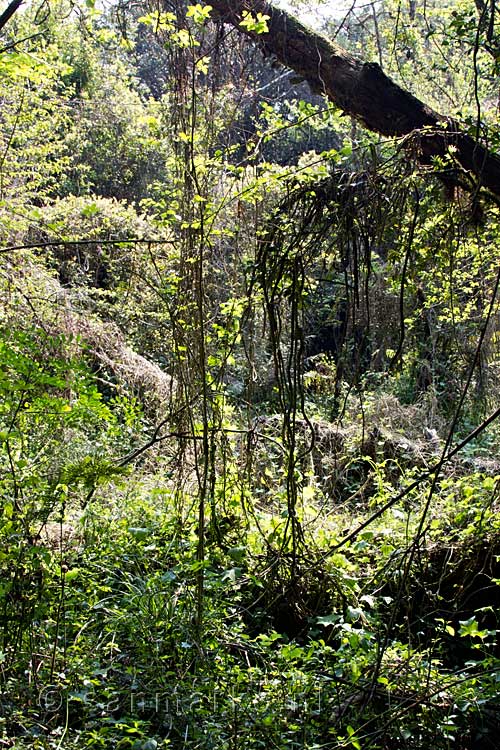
362, 90
